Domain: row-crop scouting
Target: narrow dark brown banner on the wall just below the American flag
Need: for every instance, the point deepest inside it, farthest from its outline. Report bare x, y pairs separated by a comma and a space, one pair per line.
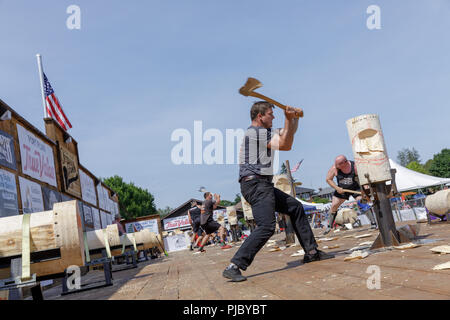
71, 177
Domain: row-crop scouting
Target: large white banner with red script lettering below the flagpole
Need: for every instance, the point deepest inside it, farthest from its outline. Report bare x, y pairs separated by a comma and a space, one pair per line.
36, 156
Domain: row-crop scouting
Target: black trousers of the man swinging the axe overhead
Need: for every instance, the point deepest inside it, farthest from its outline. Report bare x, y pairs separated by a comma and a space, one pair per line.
265, 199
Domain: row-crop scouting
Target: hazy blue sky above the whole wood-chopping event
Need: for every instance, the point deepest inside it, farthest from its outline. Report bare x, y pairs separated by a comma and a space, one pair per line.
138, 70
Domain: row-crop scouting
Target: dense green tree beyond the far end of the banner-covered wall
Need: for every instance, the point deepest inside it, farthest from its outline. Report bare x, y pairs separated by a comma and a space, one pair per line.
134, 201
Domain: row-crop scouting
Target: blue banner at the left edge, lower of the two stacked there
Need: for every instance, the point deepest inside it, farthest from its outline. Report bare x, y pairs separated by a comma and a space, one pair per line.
8, 194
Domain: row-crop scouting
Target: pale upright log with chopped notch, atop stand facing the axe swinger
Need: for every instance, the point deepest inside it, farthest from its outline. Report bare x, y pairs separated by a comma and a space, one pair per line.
369, 148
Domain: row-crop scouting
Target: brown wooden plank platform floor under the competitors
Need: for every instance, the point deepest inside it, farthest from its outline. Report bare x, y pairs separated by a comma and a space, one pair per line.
405, 274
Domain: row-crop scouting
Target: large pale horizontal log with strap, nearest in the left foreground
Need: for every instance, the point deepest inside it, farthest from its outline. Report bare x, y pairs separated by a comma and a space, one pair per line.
57, 235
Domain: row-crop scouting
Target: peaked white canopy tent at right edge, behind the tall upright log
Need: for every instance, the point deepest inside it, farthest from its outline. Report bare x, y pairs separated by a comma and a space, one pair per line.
407, 179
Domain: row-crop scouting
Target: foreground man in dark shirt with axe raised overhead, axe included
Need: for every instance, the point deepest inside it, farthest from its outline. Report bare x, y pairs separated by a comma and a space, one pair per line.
255, 177
